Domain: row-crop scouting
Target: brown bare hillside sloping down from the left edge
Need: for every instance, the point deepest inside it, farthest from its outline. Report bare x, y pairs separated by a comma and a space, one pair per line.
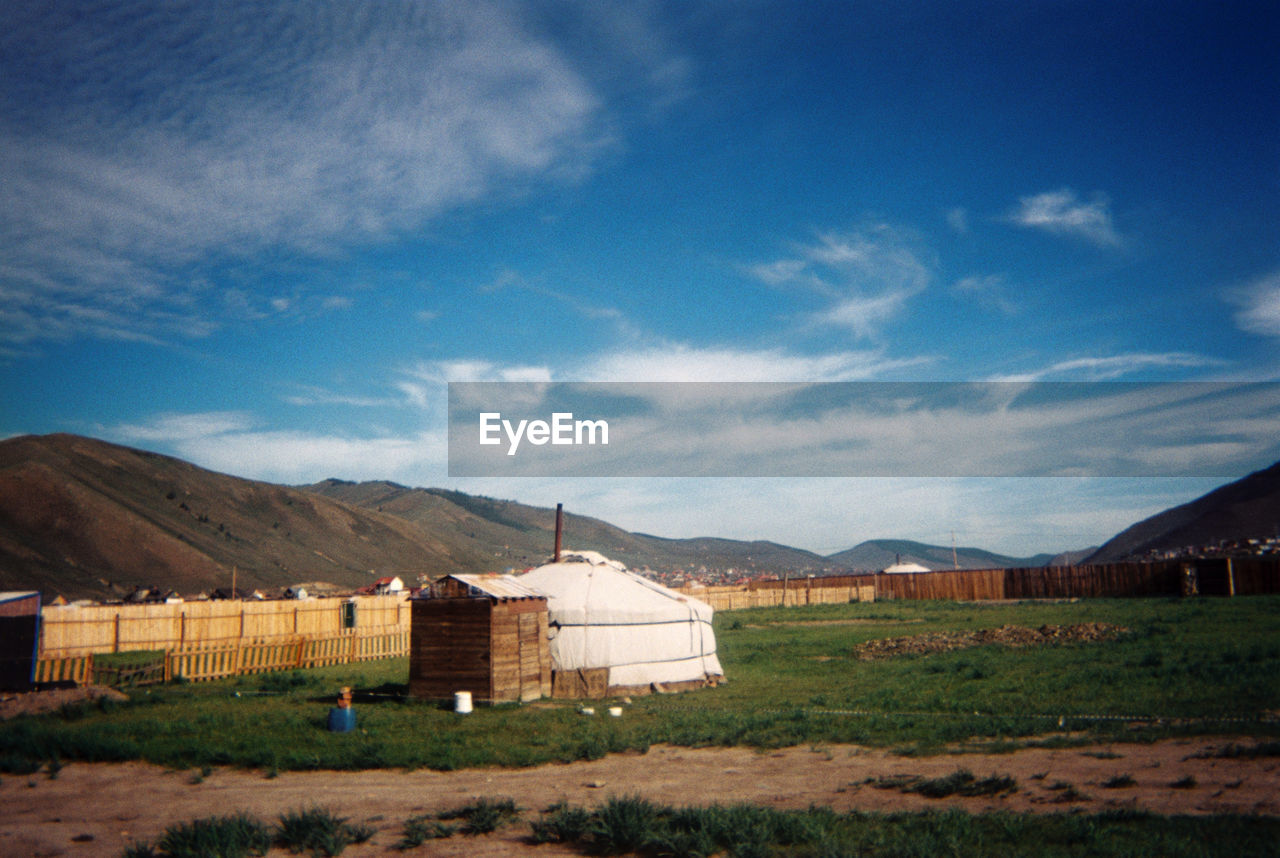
88, 519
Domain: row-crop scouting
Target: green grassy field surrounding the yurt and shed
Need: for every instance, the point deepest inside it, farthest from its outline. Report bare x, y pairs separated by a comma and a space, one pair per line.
1185, 667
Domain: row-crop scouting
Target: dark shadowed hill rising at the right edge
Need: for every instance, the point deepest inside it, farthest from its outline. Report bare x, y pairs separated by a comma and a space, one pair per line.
1249, 509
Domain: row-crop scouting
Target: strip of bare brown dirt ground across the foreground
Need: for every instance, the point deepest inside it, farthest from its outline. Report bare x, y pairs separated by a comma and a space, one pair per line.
99, 809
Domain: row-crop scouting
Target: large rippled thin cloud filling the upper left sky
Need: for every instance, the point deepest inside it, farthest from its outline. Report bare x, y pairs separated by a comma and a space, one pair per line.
127, 161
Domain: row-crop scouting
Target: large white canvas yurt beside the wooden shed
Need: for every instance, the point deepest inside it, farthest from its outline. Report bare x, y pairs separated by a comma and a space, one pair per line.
614, 632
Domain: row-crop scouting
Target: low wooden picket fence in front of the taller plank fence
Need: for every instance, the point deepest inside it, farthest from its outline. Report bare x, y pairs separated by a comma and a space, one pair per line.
220, 661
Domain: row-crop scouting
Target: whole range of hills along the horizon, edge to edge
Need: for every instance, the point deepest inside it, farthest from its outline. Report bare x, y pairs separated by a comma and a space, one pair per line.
88, 519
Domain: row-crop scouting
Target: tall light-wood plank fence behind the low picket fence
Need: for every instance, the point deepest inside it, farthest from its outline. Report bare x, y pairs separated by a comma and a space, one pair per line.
81, 631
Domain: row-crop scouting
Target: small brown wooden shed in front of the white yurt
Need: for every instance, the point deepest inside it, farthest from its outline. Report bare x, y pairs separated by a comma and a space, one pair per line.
484, 635
